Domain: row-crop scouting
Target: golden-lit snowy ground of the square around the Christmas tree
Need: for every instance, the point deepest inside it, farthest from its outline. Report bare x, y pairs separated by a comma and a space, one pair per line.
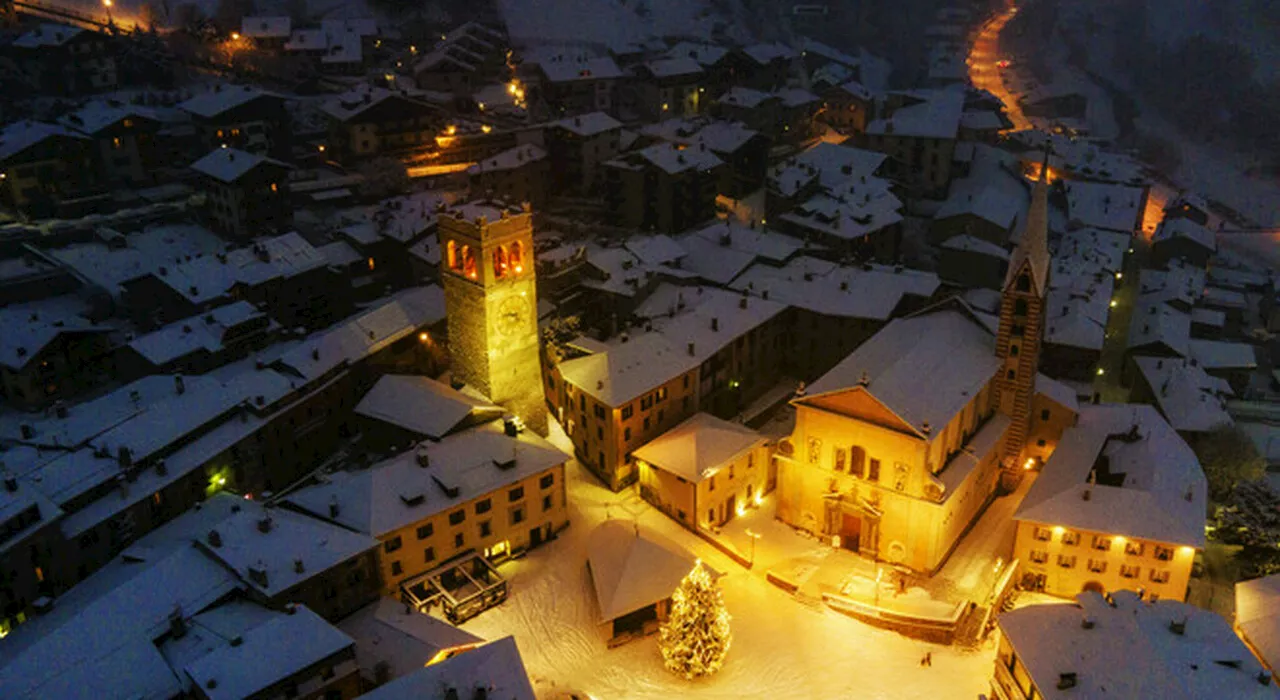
781, 648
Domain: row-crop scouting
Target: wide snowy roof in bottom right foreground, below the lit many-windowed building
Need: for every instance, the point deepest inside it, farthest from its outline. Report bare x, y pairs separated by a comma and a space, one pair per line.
1132, 652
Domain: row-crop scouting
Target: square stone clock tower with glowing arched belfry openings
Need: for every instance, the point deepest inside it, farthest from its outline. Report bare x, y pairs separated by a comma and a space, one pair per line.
487, 268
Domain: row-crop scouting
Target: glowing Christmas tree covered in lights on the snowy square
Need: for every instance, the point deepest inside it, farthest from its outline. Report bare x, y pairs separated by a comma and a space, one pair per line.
696, 638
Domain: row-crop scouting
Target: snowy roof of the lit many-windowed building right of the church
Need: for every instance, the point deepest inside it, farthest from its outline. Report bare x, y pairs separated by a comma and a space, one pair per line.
1162, 491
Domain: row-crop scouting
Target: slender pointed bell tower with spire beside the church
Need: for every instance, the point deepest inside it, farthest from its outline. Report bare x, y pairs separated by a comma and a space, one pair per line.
1022, 322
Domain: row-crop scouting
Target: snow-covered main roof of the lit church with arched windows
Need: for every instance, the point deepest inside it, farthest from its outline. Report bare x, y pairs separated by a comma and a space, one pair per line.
924, 368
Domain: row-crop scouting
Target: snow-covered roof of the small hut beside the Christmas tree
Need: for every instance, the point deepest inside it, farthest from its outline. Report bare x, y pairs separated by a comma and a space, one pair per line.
633, 568
